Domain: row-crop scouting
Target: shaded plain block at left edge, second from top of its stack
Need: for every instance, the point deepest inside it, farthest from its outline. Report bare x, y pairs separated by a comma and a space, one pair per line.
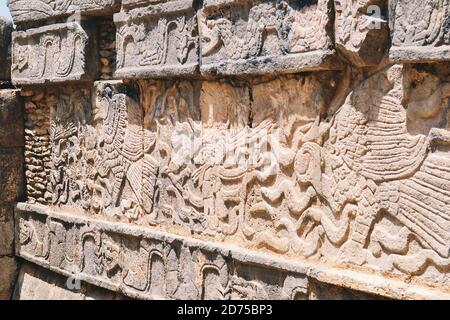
11, 119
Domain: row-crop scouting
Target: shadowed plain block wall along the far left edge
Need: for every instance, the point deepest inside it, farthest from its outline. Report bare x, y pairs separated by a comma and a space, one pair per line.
11, 162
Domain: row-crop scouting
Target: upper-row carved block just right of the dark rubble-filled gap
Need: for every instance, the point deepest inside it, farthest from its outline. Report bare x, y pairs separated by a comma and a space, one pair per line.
157, 40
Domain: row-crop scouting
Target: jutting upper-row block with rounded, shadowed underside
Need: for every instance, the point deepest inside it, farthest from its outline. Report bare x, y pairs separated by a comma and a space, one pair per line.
362, 30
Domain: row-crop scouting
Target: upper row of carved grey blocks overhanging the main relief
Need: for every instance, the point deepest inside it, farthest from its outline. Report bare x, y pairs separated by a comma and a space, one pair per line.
169, 38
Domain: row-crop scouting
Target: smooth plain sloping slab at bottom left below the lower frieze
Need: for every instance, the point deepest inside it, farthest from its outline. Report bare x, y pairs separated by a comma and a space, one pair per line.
35, 283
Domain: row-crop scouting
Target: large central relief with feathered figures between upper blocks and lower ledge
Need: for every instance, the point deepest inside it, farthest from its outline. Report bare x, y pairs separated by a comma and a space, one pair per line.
266, 165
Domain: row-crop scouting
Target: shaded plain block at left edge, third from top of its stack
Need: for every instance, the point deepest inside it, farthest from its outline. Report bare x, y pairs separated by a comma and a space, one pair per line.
11, 174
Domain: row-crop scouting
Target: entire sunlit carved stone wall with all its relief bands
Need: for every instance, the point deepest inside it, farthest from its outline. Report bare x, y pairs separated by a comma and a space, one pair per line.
235, 149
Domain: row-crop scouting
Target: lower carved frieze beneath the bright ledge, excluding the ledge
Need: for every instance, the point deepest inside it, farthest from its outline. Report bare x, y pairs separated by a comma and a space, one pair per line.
146, 265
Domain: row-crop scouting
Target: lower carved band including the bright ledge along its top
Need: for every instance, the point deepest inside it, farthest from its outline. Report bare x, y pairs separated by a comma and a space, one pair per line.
149, 264
